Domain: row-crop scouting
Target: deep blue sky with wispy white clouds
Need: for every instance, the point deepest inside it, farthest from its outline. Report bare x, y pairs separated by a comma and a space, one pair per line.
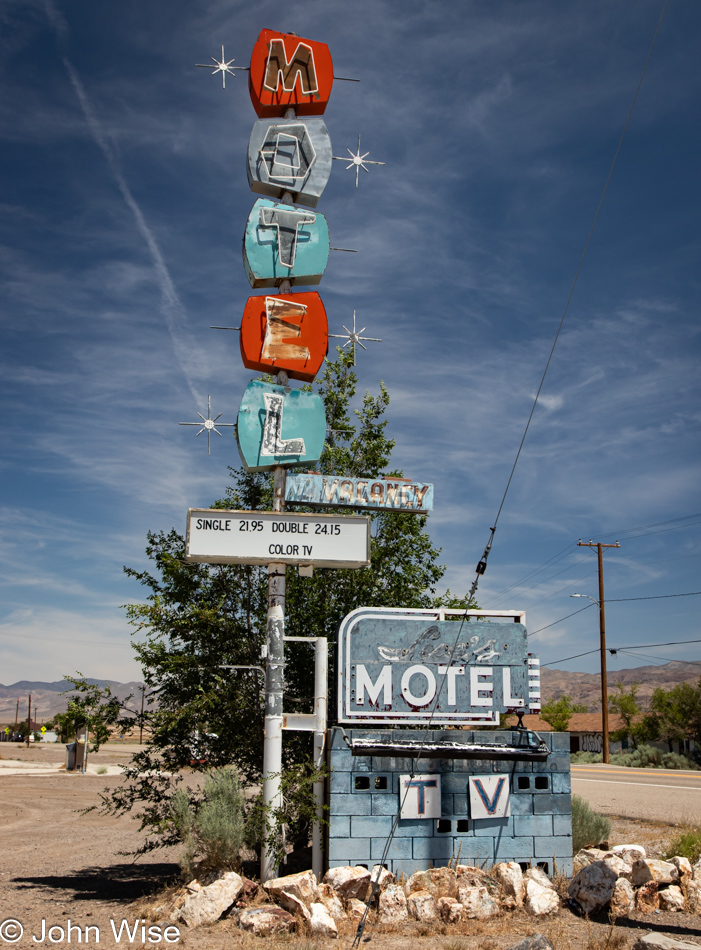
124, 200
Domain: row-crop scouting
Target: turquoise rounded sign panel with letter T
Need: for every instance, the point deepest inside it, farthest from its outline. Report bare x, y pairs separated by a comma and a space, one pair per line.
284, 243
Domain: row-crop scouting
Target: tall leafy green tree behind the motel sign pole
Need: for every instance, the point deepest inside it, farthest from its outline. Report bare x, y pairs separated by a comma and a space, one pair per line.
198, 618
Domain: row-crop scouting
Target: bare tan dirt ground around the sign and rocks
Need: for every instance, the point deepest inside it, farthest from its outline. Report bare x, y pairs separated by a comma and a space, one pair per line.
58, 866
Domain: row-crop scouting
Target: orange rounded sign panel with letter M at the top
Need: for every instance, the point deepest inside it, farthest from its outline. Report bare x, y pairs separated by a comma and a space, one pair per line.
288, 71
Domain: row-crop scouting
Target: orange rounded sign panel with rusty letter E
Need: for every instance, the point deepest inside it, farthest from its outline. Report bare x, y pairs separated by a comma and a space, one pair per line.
289, 333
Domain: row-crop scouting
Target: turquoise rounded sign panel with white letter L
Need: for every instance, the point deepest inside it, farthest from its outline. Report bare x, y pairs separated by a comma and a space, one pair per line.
279, 426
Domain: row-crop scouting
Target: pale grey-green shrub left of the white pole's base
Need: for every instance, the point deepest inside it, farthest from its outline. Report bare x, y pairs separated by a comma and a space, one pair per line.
212, 830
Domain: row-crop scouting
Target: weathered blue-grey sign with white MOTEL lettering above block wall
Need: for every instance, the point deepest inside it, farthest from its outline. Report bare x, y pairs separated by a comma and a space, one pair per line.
392, 664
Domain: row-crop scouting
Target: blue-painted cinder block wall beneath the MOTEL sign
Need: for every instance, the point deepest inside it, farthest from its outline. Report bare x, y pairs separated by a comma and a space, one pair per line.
364, 801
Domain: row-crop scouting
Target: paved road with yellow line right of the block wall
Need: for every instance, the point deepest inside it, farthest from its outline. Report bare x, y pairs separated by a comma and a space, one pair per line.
653, 794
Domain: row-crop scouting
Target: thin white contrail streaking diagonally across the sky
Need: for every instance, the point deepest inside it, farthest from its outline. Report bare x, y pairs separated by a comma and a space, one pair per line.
187, 353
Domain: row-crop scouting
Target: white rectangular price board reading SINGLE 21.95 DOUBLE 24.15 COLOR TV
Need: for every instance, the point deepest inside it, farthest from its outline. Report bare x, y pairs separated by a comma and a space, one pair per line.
221, 536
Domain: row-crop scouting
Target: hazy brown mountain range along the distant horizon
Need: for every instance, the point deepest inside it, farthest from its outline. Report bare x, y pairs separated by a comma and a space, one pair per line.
51, 698
